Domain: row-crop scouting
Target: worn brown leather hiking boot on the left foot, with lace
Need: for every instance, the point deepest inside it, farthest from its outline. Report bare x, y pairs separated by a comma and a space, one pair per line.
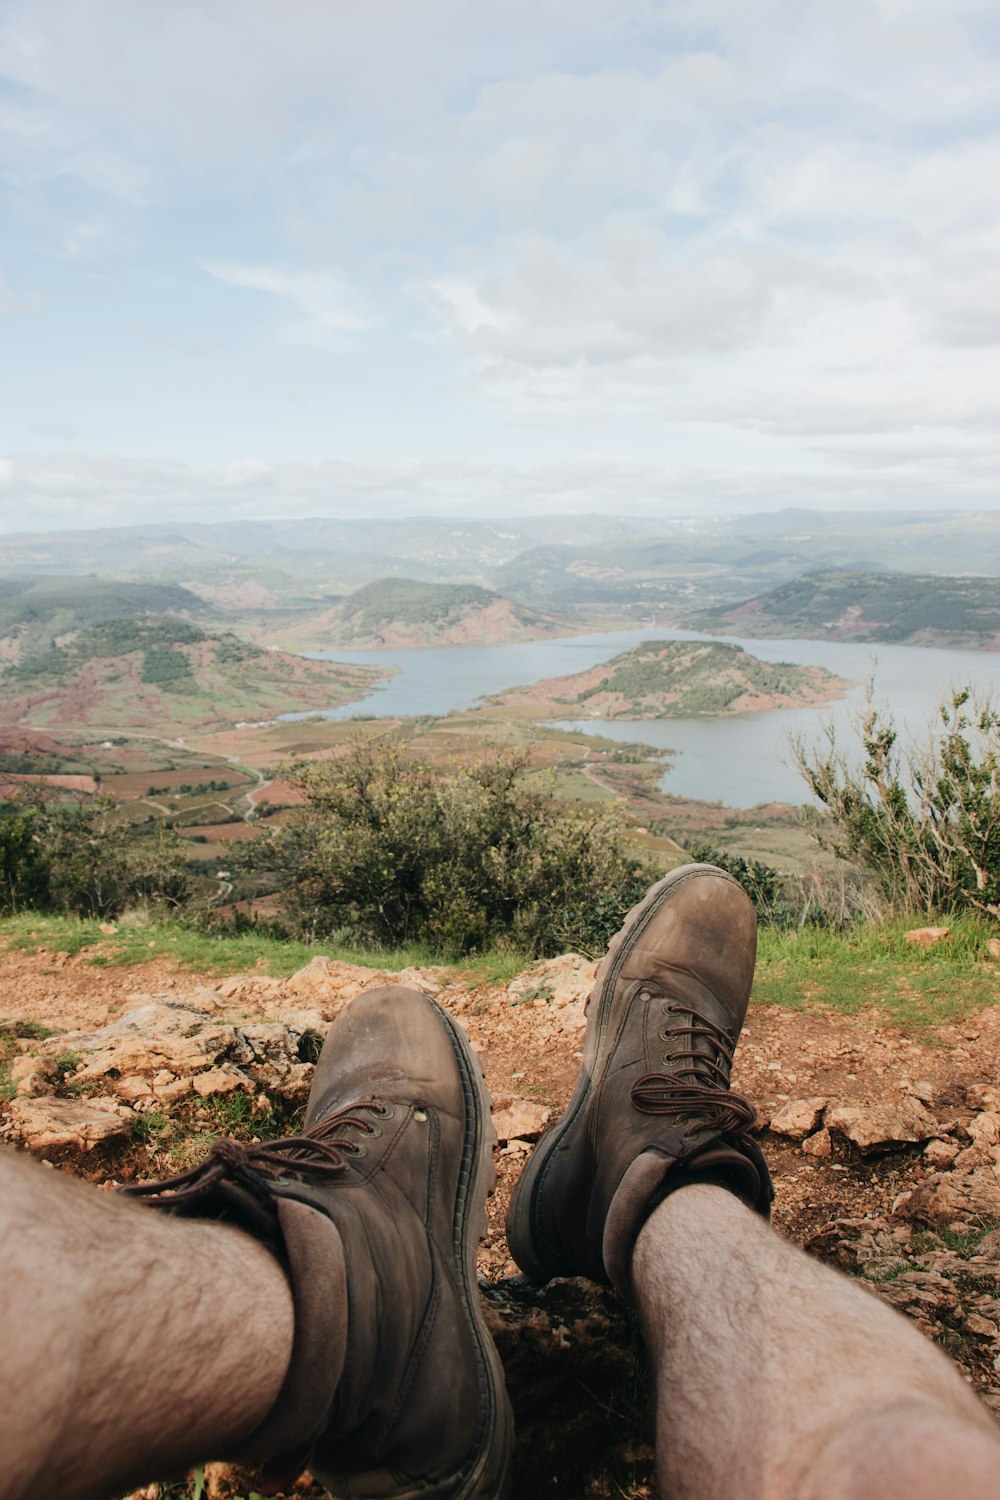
395, 1388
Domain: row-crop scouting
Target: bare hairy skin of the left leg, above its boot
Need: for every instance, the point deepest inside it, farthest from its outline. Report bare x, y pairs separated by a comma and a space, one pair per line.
136, 1345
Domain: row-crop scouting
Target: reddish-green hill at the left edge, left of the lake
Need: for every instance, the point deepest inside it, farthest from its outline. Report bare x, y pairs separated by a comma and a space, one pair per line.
169, 677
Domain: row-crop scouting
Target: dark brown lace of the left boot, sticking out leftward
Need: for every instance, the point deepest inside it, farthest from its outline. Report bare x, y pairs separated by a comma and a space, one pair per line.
320, 1151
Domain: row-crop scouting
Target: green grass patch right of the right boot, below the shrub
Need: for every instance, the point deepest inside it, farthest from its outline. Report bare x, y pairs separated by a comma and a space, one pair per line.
872, 968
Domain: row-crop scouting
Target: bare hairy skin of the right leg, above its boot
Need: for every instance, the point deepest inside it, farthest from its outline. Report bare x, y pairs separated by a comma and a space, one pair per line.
777, 1379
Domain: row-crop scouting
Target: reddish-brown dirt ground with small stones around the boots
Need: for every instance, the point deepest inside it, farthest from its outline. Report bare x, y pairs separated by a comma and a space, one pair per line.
845, 1202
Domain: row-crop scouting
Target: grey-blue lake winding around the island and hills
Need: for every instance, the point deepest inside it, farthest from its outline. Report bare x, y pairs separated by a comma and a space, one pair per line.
740, 760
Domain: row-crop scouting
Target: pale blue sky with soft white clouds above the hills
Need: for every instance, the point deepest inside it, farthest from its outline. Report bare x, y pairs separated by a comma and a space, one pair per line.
437, 257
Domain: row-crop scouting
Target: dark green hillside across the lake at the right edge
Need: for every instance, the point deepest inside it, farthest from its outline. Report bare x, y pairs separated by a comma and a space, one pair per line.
840, 605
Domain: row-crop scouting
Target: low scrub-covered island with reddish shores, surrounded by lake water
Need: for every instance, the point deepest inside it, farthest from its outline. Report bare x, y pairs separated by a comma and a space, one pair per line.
675, 680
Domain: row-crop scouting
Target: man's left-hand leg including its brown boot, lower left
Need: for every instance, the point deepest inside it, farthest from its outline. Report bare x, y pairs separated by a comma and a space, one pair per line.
307, 1303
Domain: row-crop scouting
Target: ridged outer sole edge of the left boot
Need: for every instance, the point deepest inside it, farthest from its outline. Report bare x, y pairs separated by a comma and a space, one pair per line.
488, 1477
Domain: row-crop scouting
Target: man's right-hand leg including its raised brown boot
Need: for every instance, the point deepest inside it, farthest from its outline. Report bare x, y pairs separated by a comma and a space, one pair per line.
776, 1378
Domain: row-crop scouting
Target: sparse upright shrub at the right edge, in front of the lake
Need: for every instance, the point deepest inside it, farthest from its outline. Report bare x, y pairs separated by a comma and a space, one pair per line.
926, 827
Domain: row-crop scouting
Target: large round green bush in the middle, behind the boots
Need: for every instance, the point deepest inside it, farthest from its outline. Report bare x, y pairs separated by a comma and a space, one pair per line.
389, 851
